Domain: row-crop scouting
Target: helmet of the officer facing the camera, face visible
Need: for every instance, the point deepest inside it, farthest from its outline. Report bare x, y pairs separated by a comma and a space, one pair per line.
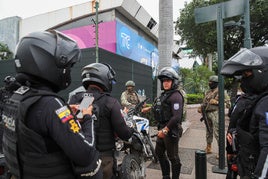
170, 73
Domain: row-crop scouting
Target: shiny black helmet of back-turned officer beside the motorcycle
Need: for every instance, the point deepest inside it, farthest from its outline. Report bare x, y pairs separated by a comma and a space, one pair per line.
99, 73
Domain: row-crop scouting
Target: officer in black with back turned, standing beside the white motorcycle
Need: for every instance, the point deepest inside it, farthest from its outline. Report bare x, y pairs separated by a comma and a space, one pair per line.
98, 79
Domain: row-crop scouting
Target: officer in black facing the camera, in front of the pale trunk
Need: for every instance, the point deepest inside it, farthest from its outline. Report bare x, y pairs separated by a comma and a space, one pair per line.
168, 112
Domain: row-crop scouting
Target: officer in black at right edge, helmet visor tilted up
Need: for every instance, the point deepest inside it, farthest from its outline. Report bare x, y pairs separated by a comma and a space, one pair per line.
251, 67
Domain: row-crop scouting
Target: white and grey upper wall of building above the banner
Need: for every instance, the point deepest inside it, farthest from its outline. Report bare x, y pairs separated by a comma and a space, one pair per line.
129, 12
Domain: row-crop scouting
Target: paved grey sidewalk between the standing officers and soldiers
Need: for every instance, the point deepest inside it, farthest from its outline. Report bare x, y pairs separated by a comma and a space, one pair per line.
193, 139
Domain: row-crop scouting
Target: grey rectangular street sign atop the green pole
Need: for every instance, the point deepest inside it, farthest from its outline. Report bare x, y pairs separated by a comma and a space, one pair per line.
229, 9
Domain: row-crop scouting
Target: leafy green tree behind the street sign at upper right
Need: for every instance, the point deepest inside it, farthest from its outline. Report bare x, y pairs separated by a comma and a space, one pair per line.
203, 37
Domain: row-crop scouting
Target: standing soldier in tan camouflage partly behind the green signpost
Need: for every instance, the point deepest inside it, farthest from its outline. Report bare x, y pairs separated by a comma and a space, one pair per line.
211, 107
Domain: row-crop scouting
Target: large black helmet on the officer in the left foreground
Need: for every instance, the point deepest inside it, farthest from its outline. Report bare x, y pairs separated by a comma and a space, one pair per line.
49, 56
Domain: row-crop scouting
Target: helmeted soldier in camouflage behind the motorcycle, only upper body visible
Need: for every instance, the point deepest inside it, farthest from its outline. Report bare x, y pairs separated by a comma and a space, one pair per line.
129, 98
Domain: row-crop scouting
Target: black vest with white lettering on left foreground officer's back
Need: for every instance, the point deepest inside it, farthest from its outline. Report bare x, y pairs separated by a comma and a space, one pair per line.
35, 163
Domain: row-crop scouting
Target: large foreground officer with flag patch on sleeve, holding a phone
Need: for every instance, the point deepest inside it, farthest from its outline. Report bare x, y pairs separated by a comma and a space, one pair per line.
42, 135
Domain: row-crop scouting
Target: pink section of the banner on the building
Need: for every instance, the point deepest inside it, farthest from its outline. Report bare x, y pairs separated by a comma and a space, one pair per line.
85, 36
